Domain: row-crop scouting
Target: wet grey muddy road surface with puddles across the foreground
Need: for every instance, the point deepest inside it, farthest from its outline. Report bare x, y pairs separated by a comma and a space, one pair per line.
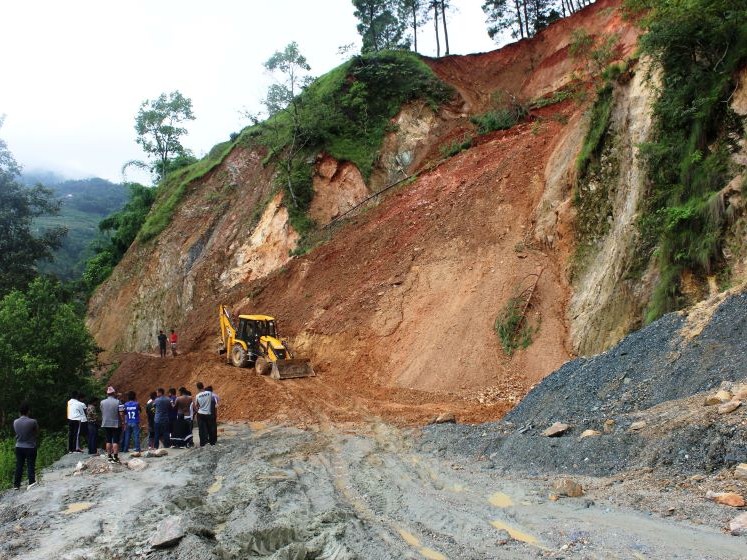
328, 493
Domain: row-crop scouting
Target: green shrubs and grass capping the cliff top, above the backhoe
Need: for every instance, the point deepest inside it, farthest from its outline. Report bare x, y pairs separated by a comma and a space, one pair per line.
345, 113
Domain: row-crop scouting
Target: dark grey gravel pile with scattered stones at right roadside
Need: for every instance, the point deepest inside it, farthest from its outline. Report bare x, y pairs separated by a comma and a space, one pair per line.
654, 367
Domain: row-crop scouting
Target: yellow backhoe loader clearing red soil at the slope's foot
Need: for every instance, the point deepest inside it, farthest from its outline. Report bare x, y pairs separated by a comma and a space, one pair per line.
256, 342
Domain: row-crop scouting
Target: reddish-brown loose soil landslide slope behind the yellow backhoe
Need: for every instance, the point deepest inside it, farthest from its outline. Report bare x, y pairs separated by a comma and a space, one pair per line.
396, 310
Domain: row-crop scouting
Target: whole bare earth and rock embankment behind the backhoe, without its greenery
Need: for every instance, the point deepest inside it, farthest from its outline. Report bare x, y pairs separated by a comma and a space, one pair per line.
396, 309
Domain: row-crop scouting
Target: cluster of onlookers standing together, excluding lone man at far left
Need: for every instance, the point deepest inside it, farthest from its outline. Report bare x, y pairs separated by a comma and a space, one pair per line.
170, 420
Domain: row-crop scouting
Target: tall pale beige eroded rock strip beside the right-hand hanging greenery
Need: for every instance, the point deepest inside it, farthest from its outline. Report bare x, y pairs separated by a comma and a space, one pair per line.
606, 305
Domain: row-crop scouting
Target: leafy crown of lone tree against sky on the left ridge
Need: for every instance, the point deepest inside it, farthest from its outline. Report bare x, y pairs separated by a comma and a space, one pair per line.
159, 131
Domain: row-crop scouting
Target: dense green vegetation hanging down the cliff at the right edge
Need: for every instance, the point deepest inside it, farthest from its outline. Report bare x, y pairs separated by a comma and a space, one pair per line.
699, 45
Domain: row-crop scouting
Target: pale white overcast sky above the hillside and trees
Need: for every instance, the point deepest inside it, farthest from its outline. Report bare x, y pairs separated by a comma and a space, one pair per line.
75, 73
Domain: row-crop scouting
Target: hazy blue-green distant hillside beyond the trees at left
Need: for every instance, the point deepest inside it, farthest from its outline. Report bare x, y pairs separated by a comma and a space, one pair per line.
85, 203
